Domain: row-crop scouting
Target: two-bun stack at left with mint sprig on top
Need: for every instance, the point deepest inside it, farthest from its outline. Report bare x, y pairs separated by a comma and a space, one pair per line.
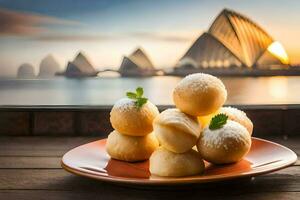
132, 140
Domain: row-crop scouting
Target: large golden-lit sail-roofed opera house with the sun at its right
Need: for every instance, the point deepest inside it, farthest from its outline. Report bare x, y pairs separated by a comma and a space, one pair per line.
234, 41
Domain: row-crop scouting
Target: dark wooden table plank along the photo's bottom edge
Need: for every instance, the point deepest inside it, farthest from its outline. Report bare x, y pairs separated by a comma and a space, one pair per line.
146, 194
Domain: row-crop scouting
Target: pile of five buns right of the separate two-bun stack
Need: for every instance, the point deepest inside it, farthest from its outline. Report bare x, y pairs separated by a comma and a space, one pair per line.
218, 141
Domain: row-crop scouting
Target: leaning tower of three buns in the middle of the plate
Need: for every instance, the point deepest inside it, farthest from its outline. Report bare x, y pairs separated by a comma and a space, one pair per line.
178, 130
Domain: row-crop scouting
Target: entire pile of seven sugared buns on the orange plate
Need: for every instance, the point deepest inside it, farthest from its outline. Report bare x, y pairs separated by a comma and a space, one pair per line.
198, 129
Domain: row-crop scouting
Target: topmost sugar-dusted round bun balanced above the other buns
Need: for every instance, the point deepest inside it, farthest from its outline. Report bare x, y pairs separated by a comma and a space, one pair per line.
199, 94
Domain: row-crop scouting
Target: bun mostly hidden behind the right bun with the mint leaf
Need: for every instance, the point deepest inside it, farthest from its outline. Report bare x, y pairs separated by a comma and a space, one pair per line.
238, 116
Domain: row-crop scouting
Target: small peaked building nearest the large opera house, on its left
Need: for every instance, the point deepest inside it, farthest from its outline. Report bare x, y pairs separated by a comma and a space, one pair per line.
137, 64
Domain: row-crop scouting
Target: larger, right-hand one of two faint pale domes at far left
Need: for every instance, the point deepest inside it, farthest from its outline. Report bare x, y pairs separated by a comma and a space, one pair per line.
48, 67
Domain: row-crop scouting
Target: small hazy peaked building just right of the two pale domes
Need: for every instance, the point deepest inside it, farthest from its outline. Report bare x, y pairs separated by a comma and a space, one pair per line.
80, 67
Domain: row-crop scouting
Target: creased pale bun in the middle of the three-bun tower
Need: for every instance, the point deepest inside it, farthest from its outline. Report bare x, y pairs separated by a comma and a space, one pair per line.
176, 131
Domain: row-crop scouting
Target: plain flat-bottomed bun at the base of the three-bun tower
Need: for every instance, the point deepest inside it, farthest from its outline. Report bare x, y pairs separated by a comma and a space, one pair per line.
167, 163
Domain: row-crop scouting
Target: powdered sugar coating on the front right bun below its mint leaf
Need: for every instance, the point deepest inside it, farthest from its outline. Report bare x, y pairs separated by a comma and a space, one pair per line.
231, 130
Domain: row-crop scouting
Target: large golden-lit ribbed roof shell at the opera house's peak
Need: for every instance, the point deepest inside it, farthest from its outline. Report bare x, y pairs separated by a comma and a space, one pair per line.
242, 36
